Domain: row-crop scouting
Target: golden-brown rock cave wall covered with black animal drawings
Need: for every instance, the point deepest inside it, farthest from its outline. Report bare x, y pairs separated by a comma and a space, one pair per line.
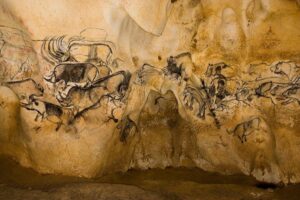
103, 86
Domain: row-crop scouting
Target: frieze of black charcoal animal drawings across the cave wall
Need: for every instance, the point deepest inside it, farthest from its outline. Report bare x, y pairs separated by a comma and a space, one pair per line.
93, 76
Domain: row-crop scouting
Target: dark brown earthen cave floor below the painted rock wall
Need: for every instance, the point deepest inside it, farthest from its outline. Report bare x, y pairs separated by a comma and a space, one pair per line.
17, 182
